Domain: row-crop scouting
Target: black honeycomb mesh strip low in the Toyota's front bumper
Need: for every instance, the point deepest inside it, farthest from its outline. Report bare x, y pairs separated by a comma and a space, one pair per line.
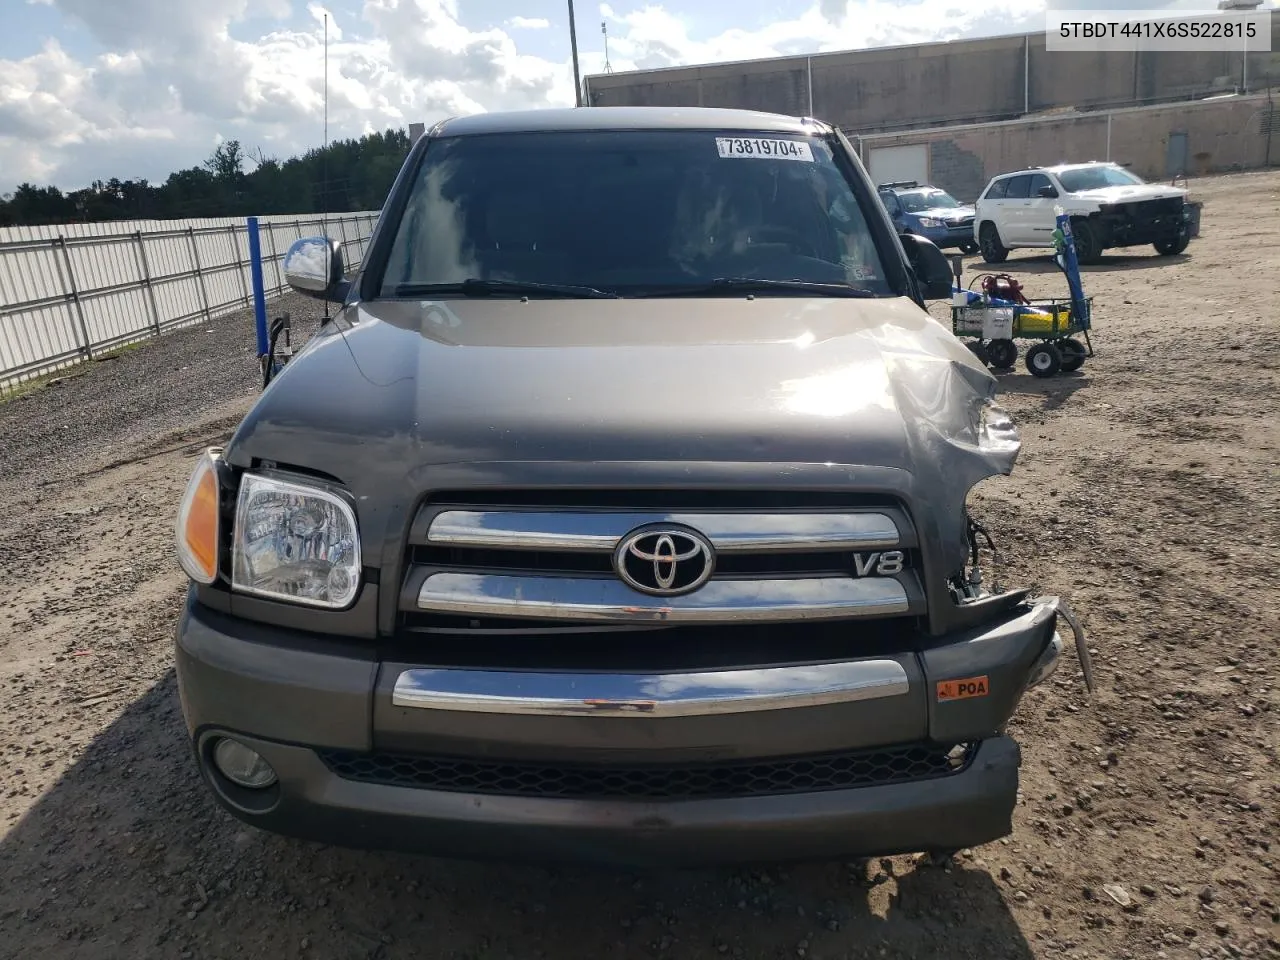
739, 779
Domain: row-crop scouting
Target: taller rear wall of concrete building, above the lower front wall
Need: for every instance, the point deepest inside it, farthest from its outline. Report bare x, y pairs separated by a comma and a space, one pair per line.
931, 85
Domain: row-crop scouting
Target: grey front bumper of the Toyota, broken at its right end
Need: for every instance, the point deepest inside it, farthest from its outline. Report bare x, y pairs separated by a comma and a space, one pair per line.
298, 698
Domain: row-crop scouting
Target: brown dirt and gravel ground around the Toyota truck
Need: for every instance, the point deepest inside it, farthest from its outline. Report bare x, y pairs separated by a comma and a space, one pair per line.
1149, 495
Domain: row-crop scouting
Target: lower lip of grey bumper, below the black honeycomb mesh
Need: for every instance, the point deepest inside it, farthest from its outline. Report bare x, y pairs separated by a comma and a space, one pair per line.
963, 811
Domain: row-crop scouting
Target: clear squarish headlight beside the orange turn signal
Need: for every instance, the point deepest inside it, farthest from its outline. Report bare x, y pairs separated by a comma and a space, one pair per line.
295, 542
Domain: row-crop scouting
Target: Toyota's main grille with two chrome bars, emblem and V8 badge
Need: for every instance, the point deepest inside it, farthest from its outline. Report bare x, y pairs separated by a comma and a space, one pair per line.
529, 559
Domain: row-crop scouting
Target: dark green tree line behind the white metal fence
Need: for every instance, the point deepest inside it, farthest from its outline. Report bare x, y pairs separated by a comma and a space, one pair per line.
350, 175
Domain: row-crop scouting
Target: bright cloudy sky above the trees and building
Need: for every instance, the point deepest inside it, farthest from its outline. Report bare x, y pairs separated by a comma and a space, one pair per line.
138, 89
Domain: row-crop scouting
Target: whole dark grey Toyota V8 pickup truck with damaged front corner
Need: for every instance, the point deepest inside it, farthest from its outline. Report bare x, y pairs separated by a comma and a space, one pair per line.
619, 515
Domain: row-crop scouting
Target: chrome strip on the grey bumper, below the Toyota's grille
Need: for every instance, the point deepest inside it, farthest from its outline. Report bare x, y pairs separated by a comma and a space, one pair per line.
650, 696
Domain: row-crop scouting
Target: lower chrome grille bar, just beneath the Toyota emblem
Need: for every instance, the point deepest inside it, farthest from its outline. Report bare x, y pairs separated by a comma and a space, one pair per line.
611, 601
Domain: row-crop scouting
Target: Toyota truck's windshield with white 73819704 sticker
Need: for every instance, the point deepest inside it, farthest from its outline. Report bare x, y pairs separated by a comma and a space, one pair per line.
632, 214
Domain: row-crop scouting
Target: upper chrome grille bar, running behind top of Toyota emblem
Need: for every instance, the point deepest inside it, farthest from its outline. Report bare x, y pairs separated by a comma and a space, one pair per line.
601, 532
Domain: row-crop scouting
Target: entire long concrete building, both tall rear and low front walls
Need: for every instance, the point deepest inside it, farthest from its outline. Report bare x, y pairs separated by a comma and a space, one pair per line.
958, 113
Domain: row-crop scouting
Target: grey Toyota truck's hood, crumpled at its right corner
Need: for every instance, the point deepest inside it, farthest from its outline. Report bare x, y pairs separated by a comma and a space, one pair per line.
392, 392
